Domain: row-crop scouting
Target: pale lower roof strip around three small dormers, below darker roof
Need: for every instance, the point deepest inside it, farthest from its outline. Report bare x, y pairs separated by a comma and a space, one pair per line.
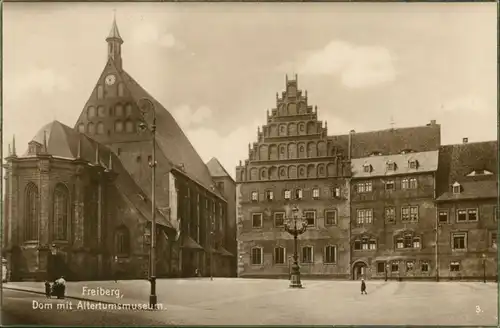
377, 165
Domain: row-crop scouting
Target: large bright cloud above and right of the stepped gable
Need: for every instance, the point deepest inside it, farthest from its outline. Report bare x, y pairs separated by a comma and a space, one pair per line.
357, 66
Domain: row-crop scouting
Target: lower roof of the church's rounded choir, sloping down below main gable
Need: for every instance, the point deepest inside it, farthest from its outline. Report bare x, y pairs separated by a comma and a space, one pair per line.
63, 141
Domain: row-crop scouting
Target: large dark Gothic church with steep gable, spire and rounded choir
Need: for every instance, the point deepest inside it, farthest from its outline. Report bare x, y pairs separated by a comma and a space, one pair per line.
83, 194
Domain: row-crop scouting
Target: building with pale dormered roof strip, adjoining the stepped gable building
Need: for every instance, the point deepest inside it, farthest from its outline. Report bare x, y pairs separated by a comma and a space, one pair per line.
392, 202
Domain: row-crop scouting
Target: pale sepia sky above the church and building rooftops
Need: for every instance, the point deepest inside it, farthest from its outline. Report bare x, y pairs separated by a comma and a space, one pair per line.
217, 66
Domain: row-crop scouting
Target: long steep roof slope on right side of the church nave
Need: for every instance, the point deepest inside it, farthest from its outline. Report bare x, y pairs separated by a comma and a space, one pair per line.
172, 141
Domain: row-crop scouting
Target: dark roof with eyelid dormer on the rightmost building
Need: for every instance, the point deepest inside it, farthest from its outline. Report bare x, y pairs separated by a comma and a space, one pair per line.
456, 162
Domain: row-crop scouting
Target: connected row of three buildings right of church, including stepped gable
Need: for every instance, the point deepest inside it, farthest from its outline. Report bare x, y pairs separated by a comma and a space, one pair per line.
391, 212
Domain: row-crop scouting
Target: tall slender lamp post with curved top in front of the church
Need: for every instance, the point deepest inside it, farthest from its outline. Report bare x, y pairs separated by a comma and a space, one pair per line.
146, 106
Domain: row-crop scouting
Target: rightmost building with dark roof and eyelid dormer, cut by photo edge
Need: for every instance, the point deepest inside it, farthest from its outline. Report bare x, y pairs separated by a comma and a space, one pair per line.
467, 193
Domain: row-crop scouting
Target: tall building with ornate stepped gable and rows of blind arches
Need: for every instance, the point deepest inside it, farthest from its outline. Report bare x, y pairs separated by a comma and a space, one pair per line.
293, 162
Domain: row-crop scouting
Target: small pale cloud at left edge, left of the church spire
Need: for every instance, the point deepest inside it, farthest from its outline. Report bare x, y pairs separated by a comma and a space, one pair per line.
45, 81
